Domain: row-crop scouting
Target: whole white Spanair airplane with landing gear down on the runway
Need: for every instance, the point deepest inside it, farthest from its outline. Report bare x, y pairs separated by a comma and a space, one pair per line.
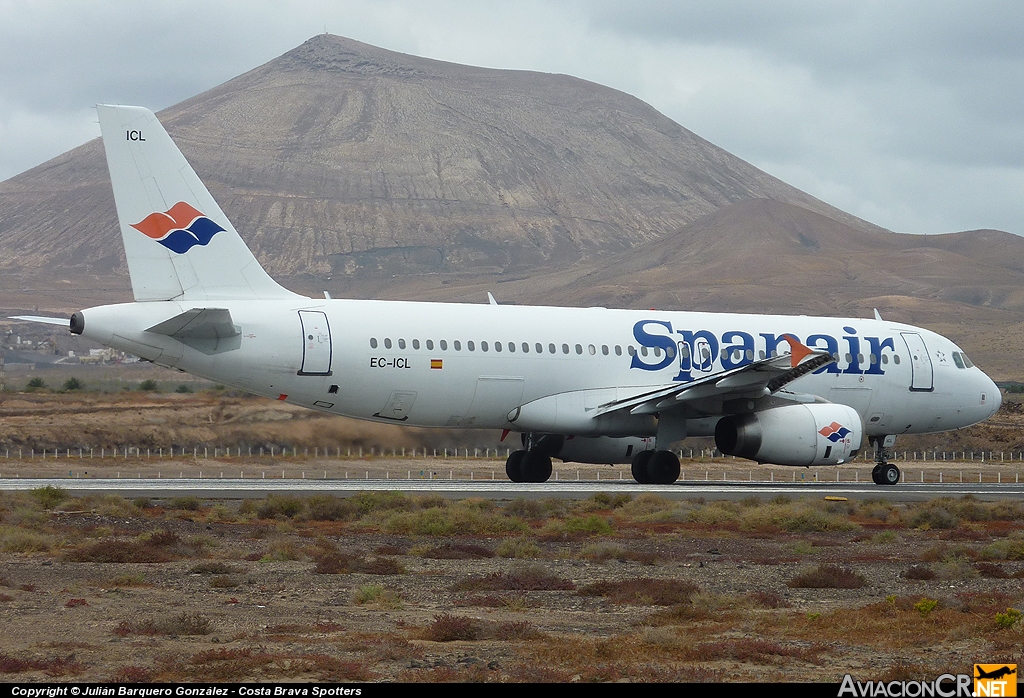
587, 385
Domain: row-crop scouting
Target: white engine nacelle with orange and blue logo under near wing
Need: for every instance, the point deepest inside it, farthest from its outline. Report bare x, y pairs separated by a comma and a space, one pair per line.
793, 435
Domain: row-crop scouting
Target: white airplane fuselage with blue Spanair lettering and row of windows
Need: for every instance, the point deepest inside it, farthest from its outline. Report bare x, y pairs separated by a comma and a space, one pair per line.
438, 365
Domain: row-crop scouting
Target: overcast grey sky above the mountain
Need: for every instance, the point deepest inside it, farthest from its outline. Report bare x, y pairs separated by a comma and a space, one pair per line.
908, 114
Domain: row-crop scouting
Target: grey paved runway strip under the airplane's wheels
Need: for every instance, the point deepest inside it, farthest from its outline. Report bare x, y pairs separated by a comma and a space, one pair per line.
496, 490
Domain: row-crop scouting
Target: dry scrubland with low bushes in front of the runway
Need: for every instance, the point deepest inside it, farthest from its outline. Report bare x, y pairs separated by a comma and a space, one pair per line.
390, 587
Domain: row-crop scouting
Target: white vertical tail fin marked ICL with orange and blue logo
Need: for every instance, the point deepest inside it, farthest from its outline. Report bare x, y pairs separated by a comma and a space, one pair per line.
179, 243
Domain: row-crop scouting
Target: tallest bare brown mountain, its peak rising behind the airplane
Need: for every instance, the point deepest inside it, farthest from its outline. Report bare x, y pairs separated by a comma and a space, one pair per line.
340, 158
